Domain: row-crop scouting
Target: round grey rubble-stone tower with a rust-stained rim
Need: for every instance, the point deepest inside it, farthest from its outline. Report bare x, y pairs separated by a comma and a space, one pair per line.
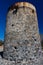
22, 40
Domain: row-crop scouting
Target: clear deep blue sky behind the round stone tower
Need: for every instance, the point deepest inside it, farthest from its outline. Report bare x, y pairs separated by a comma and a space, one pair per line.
5, 4
